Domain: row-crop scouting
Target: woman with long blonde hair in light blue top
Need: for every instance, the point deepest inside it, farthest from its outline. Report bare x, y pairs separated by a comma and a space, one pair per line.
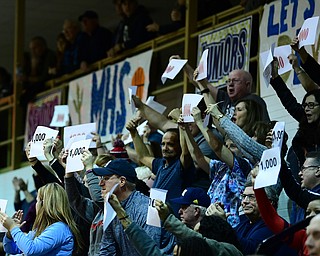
54, 231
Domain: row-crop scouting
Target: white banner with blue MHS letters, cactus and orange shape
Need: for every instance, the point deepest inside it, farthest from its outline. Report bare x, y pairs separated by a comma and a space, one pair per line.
102, 96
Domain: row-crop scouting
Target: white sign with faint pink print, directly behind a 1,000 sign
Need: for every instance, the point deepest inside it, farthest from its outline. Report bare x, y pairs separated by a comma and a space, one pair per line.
79, 130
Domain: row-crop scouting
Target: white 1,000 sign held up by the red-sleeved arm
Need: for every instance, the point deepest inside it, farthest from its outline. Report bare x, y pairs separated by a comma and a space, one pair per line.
269, 168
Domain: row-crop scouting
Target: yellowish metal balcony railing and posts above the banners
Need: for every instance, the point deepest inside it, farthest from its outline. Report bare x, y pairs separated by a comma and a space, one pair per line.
185, 38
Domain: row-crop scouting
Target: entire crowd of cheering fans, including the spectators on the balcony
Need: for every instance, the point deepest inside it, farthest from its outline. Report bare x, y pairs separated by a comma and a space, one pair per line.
209, 172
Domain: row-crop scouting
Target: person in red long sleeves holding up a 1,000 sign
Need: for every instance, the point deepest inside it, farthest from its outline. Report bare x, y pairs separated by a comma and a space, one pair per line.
276, 223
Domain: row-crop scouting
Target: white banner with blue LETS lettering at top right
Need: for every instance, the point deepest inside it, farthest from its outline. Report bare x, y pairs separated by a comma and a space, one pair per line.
281, 21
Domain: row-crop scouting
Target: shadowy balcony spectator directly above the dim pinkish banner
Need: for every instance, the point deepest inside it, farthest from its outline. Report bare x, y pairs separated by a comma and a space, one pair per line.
36, 67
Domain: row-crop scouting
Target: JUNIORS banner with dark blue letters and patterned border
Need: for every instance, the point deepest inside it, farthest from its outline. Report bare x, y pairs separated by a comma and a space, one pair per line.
229, 49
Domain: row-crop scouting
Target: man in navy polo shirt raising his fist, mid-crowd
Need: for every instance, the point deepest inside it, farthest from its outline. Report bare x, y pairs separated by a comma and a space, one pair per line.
175, 170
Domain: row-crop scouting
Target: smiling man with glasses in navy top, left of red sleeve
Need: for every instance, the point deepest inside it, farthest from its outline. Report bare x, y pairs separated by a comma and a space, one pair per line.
252, 230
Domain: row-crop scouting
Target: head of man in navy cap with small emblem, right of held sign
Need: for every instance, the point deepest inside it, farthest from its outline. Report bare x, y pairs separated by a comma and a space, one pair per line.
193, 204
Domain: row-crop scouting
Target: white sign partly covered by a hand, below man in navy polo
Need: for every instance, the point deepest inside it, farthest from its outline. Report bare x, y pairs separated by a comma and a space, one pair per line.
153, 216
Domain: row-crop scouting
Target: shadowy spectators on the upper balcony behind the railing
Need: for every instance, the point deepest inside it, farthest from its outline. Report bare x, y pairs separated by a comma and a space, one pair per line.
84, 41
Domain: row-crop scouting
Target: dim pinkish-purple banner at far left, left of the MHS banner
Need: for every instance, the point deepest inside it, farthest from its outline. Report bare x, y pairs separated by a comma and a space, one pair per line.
40, 112
